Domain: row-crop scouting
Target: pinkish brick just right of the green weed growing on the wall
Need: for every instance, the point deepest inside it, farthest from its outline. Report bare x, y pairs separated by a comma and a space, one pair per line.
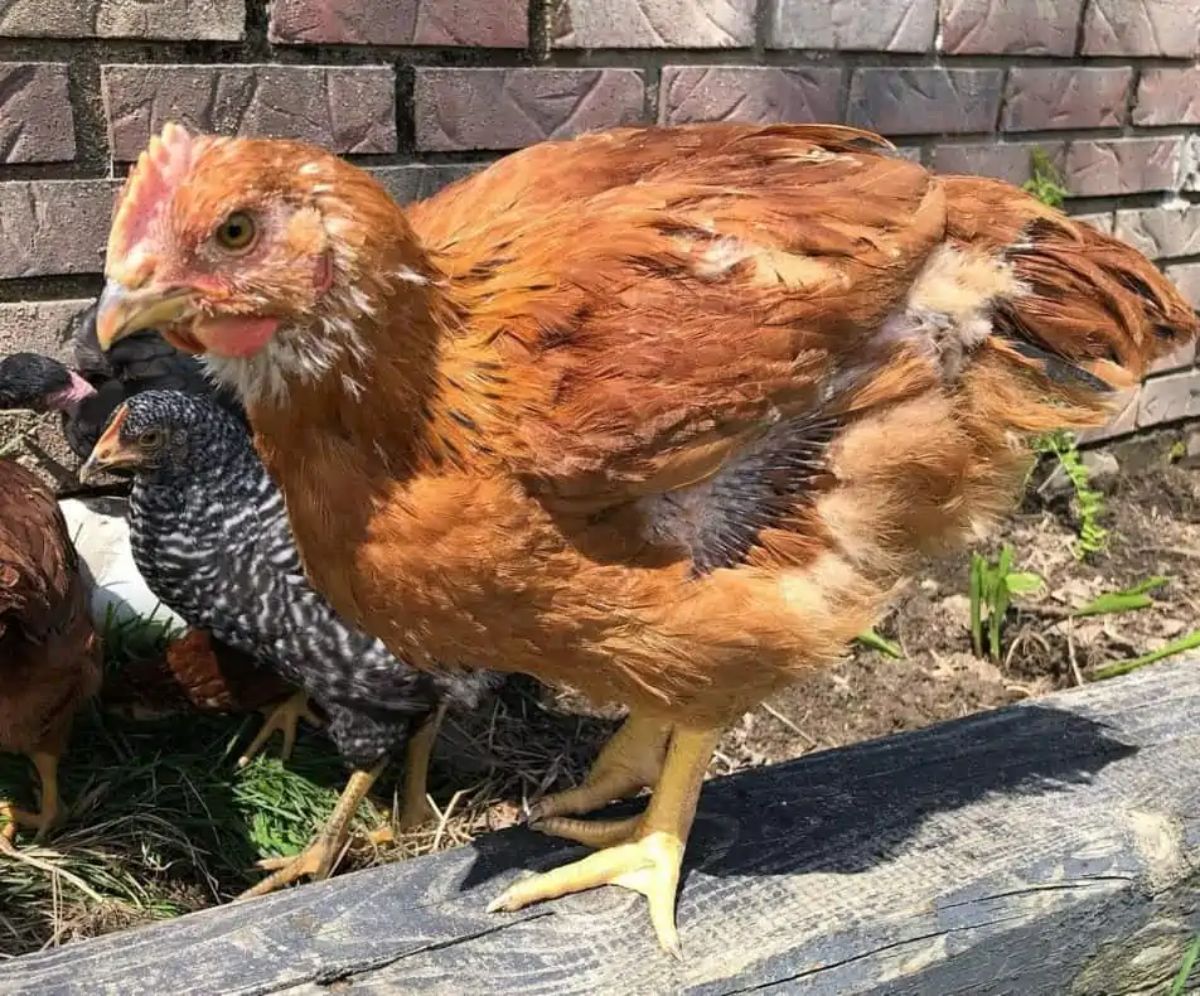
1117, 166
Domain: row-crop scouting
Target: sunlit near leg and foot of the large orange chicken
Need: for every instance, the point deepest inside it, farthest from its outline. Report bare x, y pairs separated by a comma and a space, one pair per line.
650, 863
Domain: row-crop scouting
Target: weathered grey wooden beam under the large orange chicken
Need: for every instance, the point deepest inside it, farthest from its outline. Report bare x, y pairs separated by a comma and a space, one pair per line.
1053, 848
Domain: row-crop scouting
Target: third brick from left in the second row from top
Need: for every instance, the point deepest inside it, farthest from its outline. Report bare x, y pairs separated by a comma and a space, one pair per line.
509, 109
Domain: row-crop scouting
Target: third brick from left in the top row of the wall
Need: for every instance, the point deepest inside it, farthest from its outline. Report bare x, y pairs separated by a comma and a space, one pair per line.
653, 25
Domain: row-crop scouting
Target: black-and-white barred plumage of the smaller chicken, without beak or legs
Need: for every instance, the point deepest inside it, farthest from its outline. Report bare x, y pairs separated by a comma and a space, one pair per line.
211, 537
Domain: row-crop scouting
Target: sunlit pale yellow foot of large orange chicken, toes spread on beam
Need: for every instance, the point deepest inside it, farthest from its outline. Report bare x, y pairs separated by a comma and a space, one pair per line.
649, 866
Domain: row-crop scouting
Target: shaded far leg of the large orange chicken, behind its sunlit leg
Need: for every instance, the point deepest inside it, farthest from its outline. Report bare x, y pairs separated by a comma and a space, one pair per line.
629, 763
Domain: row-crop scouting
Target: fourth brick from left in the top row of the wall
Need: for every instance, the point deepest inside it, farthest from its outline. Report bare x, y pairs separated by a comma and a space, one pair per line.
887, 26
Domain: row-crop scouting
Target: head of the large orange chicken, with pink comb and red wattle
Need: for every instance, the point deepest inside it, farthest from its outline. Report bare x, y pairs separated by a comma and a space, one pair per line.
262, 255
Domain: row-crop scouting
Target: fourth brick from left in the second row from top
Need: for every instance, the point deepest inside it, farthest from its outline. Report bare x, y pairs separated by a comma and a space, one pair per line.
748, 94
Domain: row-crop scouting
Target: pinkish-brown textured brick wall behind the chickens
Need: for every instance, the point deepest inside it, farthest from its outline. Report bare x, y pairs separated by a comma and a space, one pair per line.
425, 91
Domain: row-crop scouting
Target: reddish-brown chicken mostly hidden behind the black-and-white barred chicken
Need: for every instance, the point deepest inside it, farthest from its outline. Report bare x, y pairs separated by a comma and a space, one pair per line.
200, 673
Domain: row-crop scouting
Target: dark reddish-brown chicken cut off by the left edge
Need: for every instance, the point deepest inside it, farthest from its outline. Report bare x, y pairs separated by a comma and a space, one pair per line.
50, 655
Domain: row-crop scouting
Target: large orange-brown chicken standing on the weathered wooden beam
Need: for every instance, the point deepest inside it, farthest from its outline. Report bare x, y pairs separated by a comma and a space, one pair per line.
663, 415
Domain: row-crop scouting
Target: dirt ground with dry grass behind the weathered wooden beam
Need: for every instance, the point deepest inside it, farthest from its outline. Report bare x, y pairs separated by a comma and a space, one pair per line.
530, 741
